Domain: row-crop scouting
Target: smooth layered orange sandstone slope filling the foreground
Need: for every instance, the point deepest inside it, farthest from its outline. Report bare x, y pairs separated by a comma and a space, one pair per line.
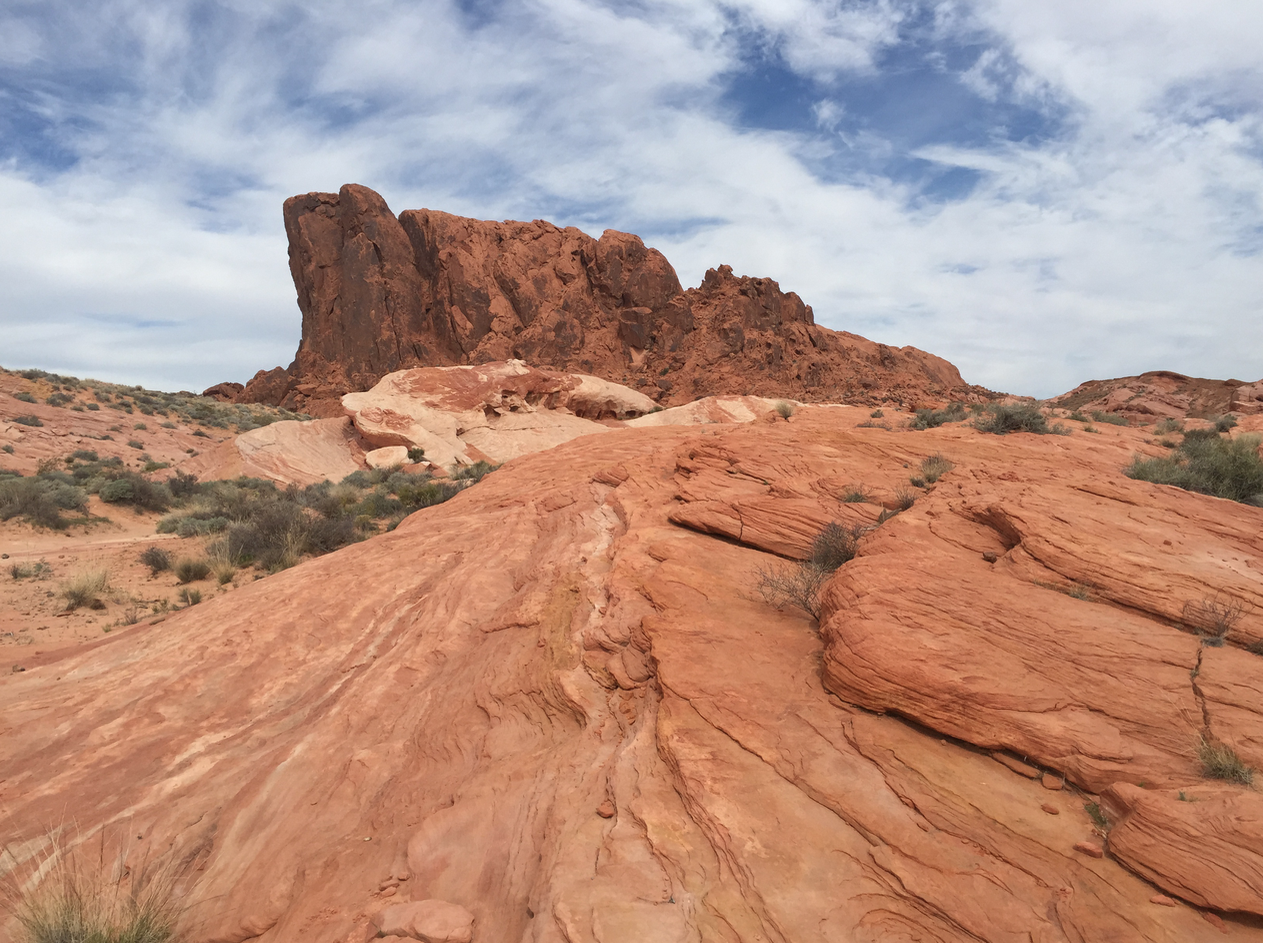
559, 704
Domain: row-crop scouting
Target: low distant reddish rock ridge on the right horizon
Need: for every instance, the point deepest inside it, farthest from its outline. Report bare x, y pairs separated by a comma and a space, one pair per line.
1163, 394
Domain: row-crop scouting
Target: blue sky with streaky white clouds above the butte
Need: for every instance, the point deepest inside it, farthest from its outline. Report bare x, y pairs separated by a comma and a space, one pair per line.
1043, 194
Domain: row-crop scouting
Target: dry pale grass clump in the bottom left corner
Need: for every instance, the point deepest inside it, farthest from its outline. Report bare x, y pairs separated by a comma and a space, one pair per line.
71, 901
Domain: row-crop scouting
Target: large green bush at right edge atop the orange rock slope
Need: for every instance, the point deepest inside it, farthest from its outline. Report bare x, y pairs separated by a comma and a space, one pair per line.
1211, 465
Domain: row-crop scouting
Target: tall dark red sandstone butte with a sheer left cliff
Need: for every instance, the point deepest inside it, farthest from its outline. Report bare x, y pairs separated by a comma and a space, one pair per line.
381, 294
